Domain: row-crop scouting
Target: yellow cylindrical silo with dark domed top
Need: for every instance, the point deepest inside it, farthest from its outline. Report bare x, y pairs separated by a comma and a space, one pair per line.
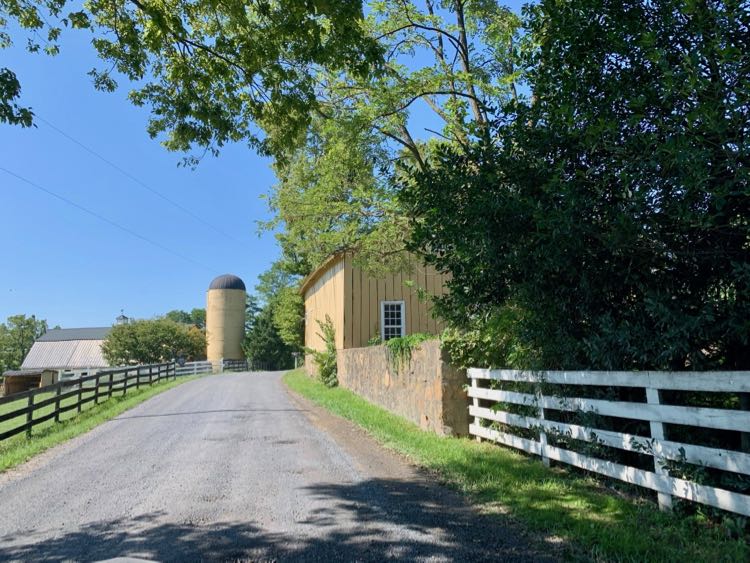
225, 318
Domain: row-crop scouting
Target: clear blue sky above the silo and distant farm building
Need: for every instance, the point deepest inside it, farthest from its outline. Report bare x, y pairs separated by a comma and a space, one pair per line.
73, 269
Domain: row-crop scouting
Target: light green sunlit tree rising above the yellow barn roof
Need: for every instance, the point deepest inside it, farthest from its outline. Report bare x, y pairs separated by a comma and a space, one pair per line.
337, 186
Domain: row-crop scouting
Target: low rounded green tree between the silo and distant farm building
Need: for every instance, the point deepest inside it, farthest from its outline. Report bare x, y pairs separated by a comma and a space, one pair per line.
153, 341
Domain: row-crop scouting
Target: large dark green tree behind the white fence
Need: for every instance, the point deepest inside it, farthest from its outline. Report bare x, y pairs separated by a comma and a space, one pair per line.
609, 213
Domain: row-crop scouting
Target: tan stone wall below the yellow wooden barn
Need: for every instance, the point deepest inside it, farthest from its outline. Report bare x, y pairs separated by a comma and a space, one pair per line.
428, 391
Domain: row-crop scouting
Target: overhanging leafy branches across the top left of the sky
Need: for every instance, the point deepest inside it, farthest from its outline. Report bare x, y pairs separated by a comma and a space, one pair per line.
211, 72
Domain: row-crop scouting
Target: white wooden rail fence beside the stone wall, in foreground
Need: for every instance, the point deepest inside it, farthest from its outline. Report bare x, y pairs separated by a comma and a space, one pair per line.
486, 403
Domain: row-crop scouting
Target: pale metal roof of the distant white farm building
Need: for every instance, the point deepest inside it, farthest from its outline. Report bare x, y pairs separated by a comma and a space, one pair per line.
65, 354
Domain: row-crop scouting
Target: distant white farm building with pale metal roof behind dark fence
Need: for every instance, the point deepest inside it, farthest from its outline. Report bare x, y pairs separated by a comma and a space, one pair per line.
73, 352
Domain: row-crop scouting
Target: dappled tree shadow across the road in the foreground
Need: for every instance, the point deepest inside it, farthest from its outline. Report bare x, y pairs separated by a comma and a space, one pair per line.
367, 521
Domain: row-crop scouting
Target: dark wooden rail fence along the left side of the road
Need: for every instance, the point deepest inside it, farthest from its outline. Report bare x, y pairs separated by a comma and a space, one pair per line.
97, 388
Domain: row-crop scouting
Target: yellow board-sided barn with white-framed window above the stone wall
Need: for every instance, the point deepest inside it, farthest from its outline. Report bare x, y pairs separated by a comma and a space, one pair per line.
362, 307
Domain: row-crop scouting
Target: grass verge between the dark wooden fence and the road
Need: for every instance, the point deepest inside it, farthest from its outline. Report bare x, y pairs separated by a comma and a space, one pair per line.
19, 449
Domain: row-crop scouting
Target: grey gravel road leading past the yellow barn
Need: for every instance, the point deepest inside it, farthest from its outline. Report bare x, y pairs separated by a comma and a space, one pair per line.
232, 467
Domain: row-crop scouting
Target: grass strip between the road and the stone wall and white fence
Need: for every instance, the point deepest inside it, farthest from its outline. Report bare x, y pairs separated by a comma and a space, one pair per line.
598, 523
